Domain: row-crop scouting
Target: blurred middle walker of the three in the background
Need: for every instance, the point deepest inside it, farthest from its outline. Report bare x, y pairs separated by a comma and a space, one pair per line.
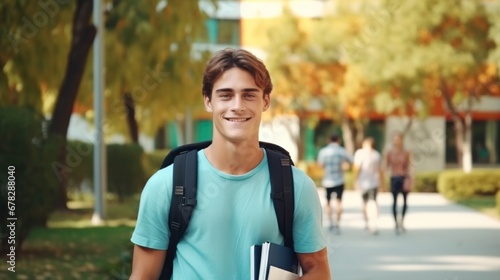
369, 176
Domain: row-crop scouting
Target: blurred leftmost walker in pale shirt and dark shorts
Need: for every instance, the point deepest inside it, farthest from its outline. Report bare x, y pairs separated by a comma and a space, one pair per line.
331, 158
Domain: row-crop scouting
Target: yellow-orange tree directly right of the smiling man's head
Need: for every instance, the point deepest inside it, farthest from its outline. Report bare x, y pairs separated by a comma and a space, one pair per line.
306, 60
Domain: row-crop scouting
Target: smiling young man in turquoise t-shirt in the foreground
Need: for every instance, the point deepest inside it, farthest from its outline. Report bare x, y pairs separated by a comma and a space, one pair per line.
234, 209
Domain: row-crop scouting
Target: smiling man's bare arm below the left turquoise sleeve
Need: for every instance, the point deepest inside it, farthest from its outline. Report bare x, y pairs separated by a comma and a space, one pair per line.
147, 263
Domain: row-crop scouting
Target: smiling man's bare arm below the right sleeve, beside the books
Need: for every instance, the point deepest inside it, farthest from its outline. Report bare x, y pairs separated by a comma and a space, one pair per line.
315, 265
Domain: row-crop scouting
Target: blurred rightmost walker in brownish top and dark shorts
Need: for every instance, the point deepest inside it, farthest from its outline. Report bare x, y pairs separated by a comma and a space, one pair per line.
398, 162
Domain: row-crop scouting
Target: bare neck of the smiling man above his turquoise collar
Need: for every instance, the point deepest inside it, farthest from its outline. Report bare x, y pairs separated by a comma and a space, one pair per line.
234, 158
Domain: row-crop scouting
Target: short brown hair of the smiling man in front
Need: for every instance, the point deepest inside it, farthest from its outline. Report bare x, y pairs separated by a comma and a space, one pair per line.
228, 58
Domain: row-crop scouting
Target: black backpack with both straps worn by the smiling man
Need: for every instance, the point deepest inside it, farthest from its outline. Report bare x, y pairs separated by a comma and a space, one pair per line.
185, 176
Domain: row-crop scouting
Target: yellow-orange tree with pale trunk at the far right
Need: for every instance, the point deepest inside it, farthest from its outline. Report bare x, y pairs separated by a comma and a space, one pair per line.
427, 47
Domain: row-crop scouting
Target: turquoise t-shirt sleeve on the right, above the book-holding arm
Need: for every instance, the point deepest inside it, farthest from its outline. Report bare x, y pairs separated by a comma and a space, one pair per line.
307, 224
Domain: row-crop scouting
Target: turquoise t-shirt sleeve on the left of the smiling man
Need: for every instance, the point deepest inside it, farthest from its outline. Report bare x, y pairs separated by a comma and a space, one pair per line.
151, 230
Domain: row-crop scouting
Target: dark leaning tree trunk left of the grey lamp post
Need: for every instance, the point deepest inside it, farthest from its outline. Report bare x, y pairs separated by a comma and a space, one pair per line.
83, 34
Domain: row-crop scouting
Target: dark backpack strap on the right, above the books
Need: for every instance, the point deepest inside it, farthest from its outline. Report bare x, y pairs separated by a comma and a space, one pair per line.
280, 172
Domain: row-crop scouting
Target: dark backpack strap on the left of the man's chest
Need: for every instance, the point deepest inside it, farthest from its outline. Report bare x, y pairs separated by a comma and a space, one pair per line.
185, 179
